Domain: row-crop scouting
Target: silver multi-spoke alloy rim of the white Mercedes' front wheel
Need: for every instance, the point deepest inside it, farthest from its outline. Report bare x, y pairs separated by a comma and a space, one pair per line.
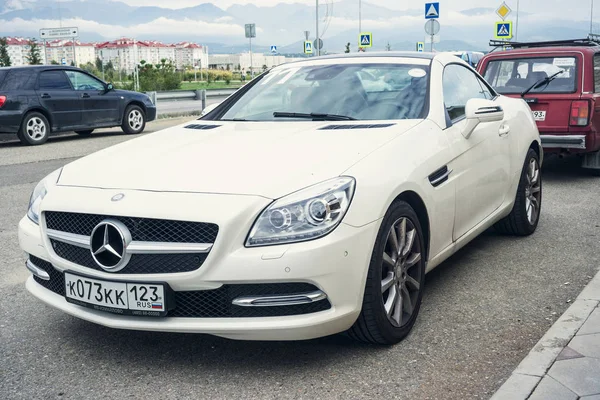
401, 275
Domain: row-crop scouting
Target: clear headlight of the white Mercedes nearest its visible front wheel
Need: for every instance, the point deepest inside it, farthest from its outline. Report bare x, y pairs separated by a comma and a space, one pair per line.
304, 215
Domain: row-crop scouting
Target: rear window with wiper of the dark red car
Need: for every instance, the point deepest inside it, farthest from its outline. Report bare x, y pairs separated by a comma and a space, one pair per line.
516, 75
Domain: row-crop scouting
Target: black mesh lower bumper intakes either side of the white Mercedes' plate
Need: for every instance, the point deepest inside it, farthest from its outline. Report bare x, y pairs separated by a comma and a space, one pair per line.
214, 303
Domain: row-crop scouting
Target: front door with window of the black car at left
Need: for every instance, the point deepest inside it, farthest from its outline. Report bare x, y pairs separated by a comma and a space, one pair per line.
101, 107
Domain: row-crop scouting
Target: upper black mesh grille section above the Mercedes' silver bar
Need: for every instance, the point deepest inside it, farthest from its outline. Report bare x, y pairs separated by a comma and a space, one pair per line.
142, 229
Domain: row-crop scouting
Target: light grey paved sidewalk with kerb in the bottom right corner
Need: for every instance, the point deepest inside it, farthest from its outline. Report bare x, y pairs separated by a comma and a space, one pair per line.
565, 363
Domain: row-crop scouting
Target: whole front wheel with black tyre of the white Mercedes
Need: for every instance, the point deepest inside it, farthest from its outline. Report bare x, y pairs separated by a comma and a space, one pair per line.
394, 286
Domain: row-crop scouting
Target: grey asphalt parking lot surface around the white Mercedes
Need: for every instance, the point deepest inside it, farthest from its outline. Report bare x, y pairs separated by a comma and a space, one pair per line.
482, 312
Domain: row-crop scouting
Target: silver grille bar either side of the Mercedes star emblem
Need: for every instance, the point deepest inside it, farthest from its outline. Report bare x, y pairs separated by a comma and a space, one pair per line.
135, 247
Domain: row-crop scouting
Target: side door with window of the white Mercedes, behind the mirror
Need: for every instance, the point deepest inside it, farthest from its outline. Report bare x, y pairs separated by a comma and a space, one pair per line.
482, 162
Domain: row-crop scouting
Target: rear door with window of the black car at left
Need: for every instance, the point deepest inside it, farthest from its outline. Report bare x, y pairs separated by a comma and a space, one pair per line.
57, 96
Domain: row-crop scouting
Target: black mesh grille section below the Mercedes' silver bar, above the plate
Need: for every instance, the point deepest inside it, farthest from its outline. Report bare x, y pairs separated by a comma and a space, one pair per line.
138, 264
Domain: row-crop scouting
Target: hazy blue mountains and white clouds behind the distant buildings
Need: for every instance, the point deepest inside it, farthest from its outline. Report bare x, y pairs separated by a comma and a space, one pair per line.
283, 24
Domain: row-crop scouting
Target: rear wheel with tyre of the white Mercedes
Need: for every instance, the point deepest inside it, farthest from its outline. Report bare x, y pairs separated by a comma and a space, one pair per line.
525, 215
